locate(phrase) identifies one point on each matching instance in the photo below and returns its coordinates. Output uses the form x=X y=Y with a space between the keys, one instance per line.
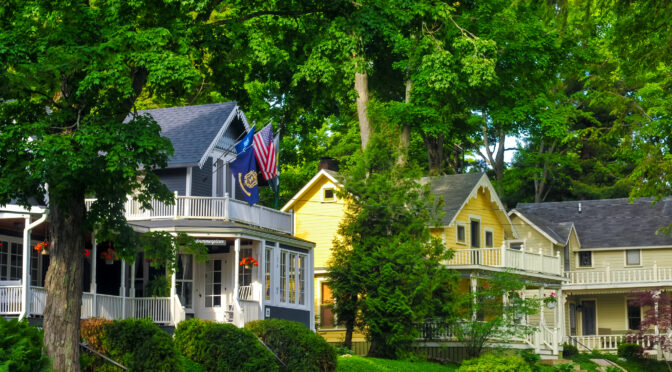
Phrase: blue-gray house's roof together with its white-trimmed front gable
x=196 y=130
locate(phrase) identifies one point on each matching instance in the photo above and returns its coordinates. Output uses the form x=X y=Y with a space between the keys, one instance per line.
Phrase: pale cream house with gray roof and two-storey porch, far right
x=611 y=249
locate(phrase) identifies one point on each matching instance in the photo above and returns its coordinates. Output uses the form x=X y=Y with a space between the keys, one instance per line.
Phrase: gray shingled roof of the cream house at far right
x=604 y=223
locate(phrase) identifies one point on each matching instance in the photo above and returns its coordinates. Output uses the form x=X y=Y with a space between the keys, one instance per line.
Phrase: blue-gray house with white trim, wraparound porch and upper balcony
x=207 y=207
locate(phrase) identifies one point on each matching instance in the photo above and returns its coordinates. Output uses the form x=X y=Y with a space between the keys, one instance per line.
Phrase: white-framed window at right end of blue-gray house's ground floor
x=293 y=277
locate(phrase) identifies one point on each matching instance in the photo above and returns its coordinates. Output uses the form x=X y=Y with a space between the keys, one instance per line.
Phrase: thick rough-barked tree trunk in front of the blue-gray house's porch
x=64 y=282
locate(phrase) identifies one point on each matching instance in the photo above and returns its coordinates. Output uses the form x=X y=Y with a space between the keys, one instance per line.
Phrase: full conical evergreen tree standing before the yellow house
x=386 y=269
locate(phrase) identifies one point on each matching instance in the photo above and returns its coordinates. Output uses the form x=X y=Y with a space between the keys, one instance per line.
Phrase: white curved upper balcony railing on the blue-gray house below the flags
x=209 y=208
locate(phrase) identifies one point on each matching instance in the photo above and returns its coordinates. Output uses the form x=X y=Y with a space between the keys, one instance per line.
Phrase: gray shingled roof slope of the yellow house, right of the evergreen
x=454 y=189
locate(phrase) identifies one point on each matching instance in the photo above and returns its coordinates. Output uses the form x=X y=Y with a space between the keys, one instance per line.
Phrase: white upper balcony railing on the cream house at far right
x=608 y=276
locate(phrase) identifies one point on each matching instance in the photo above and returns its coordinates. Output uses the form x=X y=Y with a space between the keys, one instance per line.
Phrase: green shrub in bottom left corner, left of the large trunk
x=21 y=347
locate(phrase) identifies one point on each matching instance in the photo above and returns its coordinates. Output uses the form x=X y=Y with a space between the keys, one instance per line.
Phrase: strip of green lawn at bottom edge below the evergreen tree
x=357 y=363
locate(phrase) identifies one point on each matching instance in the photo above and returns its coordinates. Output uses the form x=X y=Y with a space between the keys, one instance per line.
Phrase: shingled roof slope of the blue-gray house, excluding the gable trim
x=191 y=129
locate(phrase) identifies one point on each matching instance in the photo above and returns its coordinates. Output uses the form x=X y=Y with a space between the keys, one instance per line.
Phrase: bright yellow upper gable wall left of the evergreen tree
x=318 y=221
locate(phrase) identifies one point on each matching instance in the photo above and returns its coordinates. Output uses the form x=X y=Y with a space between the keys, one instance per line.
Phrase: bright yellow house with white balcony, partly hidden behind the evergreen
x=475 y=225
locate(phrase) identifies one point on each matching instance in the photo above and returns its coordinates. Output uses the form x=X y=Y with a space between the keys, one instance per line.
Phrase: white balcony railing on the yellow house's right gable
x=508 y=258
